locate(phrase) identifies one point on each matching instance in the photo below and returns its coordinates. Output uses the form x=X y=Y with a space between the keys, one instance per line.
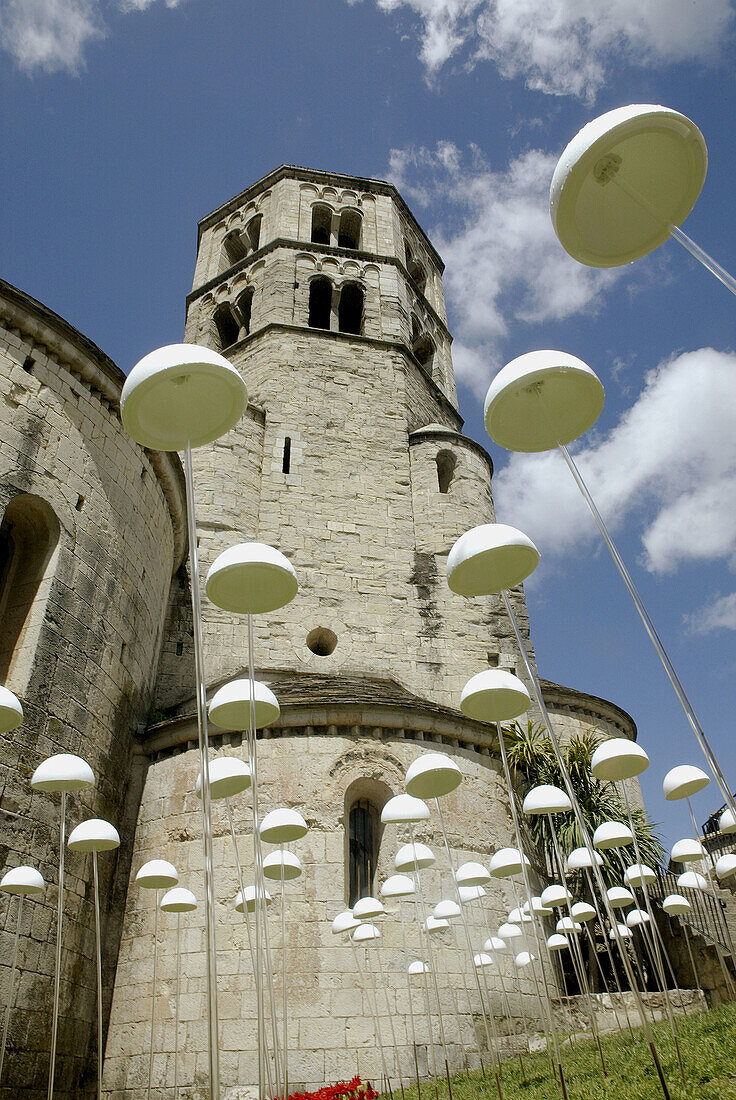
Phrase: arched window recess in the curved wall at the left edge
x=29 y=536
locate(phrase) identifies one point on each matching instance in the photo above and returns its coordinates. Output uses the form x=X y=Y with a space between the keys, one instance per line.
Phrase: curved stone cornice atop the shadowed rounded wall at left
x=61 y=343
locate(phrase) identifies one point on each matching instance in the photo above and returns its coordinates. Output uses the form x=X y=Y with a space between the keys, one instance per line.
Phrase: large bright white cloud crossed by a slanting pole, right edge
x=669 y=466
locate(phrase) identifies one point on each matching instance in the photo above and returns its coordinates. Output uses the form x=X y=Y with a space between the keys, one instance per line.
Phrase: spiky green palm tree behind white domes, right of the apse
x=533 y=762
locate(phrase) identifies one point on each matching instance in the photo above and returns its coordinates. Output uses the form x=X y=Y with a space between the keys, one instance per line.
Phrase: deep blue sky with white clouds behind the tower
x=124 y=122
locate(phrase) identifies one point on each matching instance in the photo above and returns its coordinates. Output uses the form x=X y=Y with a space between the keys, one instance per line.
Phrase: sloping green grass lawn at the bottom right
x=708 y=1044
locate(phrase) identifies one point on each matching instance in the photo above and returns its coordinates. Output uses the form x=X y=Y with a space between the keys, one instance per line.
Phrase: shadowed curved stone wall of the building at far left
x=85 y=659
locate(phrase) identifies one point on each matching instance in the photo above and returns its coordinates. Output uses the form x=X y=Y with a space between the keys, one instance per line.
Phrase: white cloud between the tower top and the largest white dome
x=503 y=261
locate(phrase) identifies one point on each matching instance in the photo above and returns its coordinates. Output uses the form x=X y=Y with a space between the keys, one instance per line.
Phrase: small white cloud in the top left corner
x=48 y=35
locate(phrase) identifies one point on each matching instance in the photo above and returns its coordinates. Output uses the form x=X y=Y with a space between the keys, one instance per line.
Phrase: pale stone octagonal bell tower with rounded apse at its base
x=324 y=291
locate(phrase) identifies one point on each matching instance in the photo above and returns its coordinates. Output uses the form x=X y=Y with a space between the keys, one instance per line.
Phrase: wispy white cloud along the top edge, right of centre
x=567 y=47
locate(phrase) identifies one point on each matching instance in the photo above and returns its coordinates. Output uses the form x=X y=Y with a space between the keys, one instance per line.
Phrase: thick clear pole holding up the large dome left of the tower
x=213 y=1031
